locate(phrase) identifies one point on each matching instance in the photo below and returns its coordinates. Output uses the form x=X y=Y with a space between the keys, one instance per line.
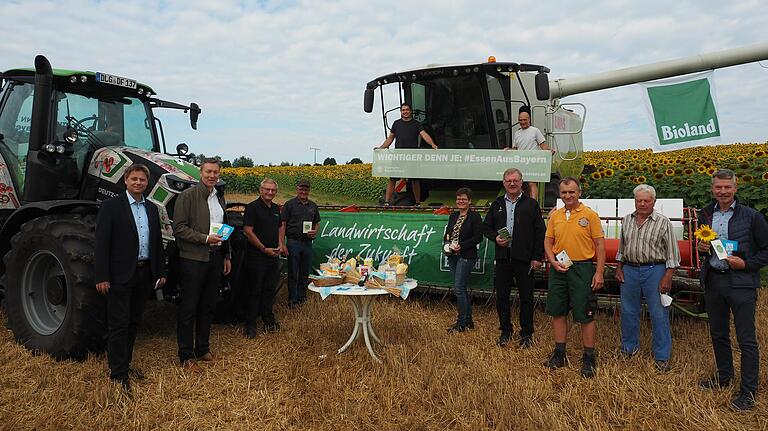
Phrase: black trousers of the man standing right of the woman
x=503 y=276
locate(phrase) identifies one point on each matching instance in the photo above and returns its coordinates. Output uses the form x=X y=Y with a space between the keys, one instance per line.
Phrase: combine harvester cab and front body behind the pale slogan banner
x=474 y=108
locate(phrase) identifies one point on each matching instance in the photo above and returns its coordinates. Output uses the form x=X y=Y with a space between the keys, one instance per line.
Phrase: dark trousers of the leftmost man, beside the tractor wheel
x=125 y=305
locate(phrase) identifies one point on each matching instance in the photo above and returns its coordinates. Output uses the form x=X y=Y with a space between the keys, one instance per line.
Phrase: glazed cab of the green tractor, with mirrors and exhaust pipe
x=80 y=113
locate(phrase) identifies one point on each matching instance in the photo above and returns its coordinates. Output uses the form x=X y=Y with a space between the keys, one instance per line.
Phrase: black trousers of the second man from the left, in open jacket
x=200 y=283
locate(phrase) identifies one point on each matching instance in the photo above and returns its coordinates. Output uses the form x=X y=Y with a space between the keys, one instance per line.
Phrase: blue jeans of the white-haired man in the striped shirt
x=644 y=280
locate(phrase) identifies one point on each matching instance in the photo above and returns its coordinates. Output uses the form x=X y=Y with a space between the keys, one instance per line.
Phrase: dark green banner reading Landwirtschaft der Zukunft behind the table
x=418 y=238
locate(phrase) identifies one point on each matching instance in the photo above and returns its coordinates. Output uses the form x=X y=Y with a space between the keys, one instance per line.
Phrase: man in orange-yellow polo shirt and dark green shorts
x=573 y=238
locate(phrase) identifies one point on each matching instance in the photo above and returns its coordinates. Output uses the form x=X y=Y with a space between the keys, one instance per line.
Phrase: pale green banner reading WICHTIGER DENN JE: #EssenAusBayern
x=535 y=165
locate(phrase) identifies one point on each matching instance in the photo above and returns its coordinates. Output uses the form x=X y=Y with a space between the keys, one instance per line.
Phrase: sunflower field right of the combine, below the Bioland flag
x=684 y=173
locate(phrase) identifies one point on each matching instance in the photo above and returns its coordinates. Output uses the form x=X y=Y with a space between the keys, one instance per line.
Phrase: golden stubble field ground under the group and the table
x=293 y=379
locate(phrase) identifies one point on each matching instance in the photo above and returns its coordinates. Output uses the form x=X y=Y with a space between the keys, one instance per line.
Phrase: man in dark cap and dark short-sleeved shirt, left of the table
x=300 y=218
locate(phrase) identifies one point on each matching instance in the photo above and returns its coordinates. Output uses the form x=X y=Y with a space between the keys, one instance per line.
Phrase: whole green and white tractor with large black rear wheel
x=66 y=138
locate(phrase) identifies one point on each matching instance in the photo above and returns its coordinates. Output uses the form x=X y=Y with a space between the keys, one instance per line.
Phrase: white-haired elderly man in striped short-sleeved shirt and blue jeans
x=647 y=259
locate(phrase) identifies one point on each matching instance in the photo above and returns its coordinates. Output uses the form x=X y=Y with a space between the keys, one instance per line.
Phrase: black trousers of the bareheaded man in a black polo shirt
x=264 y=275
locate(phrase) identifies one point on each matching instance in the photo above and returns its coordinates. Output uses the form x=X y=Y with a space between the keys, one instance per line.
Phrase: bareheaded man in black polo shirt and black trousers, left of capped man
x=262 y=226
